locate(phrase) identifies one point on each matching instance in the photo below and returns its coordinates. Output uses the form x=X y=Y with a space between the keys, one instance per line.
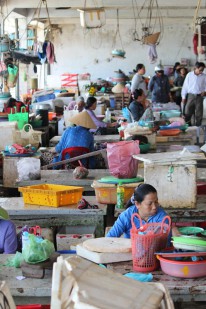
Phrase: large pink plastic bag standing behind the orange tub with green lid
x=120 y=160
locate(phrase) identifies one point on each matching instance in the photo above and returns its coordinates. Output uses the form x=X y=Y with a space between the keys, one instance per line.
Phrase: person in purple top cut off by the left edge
x=8 y=237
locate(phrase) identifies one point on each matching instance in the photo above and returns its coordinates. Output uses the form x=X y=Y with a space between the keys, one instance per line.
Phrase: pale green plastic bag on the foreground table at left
x=37 y=249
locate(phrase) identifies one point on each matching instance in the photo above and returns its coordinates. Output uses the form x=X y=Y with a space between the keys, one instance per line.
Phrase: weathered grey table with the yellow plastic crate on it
x=44 y=216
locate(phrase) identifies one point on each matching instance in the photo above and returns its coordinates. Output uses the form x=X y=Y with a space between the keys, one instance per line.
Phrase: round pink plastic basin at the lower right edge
x=183 y=269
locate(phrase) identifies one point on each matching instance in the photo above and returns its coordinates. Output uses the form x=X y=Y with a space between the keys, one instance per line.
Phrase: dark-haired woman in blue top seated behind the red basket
x=146 y=205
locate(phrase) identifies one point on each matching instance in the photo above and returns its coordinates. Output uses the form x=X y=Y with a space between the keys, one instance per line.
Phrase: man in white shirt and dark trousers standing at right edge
x=193 y=91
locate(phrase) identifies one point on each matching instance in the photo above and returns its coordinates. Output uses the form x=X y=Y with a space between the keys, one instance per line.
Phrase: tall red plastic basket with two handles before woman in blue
x=148 y=239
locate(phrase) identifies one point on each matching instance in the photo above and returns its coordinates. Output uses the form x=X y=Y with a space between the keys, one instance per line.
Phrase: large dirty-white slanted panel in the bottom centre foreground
x=88 y=290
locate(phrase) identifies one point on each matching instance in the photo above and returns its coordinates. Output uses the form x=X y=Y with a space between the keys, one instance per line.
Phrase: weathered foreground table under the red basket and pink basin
x=31 y=291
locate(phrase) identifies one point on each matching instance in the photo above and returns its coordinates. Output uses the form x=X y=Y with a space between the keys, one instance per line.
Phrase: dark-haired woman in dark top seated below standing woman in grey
x=136 y=107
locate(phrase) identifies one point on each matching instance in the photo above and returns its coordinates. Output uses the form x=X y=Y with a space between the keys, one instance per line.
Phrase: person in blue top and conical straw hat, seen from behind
x=77 y=136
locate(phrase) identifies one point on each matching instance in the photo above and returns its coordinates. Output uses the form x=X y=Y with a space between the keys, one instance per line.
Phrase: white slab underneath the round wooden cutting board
x=102 y=258
